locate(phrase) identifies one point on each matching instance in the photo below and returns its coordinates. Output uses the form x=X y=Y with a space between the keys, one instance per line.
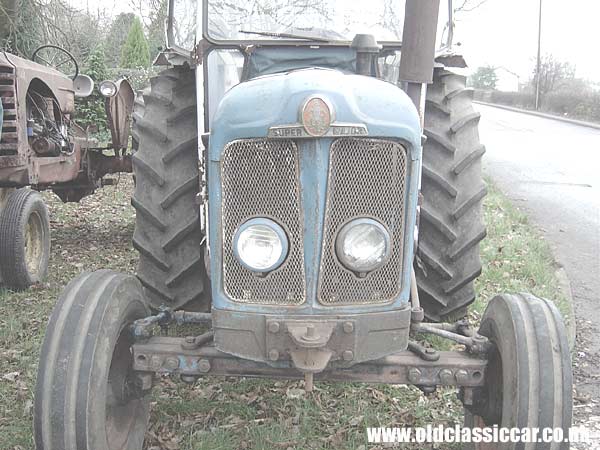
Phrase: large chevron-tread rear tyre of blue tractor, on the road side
x=451 y=225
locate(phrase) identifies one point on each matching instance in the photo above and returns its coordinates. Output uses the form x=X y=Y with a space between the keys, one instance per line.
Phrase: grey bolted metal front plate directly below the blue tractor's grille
x=311 y=343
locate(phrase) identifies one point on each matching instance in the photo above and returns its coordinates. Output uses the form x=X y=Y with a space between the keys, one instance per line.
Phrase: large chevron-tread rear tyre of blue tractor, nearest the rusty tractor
x=167 y=231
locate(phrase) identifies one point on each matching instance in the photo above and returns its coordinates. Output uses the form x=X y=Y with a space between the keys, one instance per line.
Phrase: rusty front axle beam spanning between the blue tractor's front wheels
x=174 y=355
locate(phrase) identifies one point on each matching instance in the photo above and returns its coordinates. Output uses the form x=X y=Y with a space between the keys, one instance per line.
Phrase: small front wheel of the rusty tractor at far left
x=24 y=239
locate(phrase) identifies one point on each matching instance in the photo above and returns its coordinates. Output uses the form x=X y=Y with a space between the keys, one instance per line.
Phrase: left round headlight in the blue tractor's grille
x=260 y=245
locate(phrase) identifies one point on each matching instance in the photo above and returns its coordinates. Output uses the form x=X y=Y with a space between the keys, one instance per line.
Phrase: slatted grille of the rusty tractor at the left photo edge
x=9 y=132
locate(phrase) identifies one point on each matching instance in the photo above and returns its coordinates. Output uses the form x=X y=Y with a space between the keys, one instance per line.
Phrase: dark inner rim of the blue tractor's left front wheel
x=124 y=408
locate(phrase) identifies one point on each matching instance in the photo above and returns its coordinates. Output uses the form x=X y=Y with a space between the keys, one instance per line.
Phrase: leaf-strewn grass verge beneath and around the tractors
x=243 y=414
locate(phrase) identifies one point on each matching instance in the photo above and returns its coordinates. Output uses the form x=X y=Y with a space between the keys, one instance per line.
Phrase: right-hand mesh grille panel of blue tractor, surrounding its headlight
x=367 y=178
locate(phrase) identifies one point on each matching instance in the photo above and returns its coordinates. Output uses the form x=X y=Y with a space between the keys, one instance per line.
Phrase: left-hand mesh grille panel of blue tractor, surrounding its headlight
x=260 y=178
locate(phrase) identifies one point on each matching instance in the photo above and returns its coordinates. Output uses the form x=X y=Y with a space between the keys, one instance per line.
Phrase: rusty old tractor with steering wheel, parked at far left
x=43 y=148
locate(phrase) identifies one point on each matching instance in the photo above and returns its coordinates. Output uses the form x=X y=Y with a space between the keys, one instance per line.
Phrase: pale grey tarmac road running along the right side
x=551 y=170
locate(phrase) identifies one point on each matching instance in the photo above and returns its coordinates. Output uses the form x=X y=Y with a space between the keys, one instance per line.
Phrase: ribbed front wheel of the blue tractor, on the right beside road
x=528 y=379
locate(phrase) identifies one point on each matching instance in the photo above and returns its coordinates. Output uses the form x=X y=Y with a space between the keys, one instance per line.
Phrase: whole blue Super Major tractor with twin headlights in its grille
x=308 y=194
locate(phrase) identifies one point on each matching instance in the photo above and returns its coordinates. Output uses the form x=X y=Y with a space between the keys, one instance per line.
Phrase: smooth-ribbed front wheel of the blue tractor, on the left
x=87 y=397
